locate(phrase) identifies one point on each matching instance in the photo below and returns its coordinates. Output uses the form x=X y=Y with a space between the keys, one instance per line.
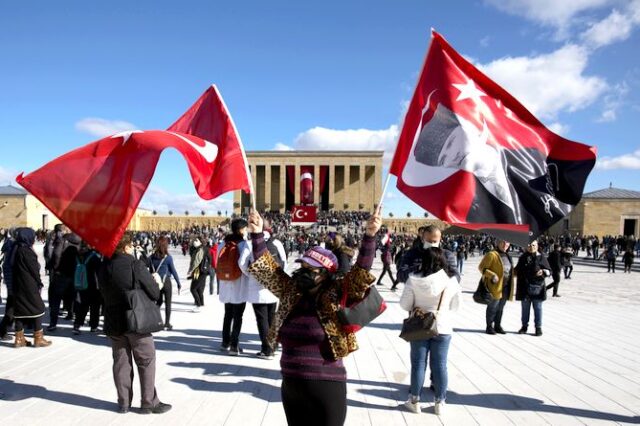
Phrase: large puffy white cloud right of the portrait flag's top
x=549 y=83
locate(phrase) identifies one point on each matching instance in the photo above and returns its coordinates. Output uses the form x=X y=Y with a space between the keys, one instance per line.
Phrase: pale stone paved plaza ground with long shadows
x=584 y=370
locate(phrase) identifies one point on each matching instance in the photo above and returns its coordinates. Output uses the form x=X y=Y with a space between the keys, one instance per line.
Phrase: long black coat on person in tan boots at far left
x=26 y=284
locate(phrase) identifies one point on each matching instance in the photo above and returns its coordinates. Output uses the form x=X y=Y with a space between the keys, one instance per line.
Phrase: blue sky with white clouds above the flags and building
x=306 y=75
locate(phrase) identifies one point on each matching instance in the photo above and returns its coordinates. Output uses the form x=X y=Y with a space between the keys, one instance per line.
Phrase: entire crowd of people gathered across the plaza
x=297 y=312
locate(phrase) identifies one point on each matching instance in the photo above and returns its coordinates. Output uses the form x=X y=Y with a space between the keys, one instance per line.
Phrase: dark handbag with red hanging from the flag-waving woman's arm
x=361 y=313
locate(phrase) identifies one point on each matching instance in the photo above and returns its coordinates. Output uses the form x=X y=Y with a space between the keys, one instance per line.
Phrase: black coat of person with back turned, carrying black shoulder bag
x=116 y=278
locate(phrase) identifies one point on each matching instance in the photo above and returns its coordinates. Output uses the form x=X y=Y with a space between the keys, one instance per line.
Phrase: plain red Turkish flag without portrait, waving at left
x=96 y=189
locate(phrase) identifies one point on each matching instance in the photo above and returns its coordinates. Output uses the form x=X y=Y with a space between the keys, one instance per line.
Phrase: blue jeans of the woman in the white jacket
x=439 y=348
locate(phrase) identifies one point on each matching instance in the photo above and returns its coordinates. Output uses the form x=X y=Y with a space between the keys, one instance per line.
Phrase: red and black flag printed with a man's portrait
x=474 y=156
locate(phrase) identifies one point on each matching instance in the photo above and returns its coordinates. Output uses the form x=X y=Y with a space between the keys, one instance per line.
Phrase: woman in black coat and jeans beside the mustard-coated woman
x=531 y=270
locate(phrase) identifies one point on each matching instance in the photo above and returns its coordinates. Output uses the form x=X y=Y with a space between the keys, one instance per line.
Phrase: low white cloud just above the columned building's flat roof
x=321 y=139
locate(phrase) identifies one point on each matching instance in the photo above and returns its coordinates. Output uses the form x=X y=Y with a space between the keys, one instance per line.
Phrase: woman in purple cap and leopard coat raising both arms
x=306 y=324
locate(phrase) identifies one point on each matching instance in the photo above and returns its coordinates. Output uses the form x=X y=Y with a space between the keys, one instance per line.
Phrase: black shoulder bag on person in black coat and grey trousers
x=143 y=315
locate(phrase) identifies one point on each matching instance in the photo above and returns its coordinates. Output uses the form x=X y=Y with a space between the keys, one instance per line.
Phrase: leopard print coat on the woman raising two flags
x=269 y=274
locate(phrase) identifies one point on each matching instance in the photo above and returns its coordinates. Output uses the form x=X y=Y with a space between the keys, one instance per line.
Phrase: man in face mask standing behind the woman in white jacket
x=412 y=260
